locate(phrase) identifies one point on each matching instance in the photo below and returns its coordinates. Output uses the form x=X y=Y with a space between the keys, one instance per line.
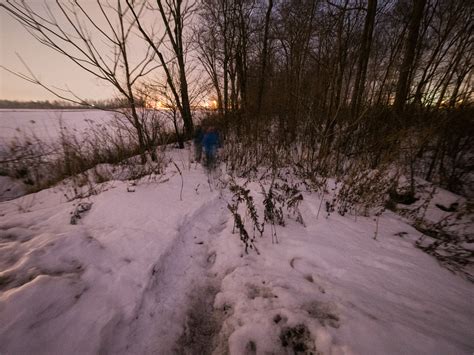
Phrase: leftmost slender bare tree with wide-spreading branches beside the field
x=98 y=40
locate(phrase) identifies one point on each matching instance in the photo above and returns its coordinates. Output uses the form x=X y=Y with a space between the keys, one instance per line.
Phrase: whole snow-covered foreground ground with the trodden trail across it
x=148 y=271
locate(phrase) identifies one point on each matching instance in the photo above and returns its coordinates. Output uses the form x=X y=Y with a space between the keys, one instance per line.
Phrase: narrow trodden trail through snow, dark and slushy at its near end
x=179 y=278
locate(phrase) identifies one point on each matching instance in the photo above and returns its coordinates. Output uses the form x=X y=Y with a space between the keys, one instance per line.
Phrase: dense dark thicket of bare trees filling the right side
x=344 y=85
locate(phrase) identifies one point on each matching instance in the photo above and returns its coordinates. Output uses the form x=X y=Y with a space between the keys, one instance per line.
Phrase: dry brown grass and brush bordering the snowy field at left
x=92 y=158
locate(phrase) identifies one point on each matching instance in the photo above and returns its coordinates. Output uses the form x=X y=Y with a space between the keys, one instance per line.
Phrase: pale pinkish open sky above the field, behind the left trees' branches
x=57 y=71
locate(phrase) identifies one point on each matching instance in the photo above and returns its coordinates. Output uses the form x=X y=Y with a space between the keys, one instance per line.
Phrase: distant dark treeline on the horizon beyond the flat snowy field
x=59 y=104
